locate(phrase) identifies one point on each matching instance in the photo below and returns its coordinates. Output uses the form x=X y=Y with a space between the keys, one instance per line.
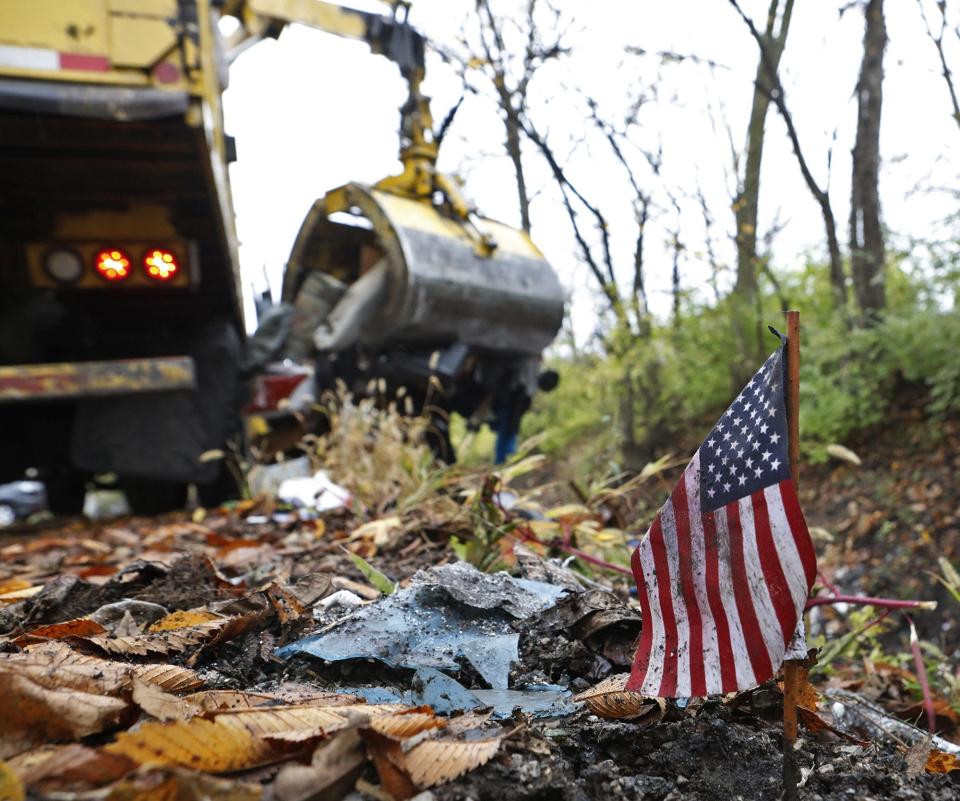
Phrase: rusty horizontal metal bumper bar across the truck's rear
x=65 y=380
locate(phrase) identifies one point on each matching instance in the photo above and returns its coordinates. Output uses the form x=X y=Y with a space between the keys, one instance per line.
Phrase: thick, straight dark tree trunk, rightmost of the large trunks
x=867 y=255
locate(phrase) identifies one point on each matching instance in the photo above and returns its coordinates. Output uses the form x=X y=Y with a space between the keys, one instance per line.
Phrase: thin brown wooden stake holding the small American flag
x=790 y=666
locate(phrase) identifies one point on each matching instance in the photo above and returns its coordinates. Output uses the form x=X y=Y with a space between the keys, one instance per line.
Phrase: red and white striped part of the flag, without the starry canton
x=721 y=592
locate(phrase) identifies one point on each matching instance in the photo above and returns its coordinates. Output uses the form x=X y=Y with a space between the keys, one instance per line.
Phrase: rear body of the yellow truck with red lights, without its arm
x=120 y=308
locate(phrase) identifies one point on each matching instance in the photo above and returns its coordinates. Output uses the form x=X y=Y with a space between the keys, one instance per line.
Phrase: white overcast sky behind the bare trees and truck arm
x=312 y=112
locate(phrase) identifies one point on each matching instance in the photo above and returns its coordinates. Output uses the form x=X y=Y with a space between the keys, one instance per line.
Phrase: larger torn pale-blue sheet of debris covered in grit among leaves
x=447 y=613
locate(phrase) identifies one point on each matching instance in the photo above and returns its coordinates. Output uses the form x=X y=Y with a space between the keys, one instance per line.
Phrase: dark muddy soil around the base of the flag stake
x=715 y=756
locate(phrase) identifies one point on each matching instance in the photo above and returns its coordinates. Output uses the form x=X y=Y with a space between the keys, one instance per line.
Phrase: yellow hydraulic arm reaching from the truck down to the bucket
x=396 y=39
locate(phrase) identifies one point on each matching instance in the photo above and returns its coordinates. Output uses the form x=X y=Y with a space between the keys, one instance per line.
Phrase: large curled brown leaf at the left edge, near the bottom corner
x=31 y=713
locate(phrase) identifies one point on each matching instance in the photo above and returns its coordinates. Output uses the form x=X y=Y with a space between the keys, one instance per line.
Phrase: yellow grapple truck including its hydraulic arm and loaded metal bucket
x=120 y=311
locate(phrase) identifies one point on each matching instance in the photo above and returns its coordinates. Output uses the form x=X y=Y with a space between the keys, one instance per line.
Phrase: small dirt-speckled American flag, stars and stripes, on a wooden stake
x=727 y=566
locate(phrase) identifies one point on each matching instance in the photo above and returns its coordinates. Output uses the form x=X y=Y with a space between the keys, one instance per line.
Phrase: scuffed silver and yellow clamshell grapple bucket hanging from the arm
x=440 y=284
